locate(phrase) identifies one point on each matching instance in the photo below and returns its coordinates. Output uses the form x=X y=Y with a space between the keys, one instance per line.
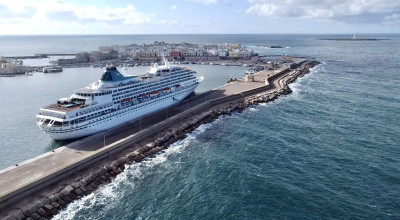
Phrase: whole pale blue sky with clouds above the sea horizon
x=40 y=17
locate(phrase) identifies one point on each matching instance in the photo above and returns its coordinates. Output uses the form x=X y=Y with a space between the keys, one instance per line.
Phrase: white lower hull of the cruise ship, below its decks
x=118 y=117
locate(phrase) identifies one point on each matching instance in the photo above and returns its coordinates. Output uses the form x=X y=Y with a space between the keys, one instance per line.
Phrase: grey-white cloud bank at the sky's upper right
x=351 y=11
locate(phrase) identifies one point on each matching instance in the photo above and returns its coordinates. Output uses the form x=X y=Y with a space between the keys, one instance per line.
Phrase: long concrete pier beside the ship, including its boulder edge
x=40 y=187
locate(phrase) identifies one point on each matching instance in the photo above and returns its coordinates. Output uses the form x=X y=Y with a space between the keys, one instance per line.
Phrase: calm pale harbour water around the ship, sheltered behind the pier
x=23 y=96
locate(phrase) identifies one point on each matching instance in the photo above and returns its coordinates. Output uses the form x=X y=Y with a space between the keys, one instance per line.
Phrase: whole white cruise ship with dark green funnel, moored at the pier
x=115 y=99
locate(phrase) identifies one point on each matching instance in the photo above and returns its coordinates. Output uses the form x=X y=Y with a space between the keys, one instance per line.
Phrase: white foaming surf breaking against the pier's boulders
x=107 y=194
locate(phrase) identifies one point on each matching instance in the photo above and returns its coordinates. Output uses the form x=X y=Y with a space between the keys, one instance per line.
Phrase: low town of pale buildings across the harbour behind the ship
x=232 y=54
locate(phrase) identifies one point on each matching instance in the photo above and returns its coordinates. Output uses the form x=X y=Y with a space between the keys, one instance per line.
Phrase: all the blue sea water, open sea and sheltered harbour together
x=329 y=150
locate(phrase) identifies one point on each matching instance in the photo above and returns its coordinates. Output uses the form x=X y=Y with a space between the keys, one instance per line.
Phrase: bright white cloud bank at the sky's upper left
x=53 y=11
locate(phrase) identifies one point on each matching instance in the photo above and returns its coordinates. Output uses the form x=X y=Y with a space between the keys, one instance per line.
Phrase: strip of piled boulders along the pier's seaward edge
x=51 y=205
